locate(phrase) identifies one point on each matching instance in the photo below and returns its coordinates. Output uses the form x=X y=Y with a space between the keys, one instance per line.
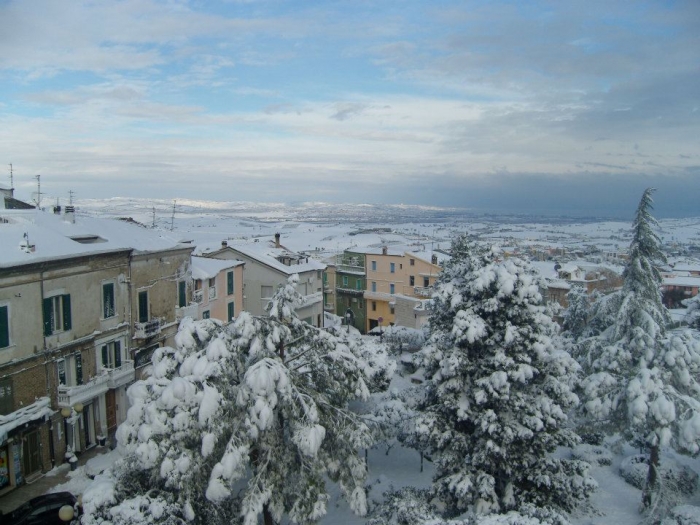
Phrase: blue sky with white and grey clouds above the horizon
x=561 y=107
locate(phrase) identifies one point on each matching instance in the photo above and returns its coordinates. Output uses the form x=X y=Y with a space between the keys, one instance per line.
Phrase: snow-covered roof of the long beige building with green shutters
x=28 y=236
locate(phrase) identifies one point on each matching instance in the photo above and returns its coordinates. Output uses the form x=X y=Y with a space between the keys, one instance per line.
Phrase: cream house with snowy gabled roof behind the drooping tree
x=268 y=265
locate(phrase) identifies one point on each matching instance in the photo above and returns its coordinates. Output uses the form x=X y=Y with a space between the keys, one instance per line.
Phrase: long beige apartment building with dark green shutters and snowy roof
x=82 y=302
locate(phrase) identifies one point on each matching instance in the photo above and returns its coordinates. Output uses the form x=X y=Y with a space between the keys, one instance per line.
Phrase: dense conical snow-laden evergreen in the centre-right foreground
x=498 y=391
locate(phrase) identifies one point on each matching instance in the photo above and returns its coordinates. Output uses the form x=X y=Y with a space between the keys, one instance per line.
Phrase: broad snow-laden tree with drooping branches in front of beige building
x=245 y=422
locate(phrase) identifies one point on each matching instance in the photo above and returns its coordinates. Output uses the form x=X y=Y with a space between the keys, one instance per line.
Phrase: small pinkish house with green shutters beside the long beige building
x=217 y=288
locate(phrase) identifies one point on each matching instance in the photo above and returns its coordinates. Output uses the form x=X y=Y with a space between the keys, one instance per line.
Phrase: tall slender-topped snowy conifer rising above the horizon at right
x=642 y=381
